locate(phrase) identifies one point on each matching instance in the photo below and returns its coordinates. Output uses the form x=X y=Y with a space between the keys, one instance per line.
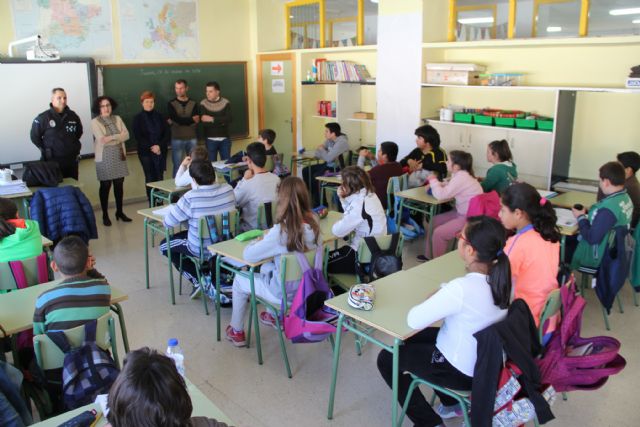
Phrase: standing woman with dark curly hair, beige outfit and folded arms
x=109 y=136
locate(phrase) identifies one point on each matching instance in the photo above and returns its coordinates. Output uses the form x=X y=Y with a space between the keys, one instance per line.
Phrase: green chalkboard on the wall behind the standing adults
x=125 y=83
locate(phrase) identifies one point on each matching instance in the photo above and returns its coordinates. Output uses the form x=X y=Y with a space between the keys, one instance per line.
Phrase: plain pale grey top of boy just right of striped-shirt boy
x=251 y=193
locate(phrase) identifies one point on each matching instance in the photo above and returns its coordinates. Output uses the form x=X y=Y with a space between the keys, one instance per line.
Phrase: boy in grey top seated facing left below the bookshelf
x=335 y=144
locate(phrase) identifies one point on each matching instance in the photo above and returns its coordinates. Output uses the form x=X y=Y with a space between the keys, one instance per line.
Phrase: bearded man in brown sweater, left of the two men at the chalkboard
x=183 y=118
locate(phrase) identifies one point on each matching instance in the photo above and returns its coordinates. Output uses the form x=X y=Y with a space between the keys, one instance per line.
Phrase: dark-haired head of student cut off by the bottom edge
x=150 y=392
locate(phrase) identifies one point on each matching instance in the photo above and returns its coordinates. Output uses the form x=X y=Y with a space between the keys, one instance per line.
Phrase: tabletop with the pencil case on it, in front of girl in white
x=398 y=293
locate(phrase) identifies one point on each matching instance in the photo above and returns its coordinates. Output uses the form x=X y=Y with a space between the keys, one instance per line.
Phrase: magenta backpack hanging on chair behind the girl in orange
x=572 y=362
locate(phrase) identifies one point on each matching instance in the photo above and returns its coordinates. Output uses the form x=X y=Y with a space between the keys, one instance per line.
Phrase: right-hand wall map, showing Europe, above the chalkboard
x=159 y=29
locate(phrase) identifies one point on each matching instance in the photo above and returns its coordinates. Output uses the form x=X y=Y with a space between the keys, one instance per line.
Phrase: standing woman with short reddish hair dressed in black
x=152 y=134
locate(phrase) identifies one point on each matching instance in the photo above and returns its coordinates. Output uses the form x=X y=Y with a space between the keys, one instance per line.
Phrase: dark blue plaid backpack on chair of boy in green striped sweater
x=87 y=371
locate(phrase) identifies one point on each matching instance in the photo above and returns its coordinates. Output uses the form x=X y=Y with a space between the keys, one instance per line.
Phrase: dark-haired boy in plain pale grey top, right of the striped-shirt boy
x=258 y=186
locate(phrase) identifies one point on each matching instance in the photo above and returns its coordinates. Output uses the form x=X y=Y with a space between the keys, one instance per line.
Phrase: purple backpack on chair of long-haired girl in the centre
x=308 y=319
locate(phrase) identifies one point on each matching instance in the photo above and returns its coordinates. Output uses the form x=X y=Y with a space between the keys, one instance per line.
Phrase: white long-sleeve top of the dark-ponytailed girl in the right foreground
x=467 y=306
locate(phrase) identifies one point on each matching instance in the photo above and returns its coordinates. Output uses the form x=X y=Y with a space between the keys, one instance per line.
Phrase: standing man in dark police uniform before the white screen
x=56 y=132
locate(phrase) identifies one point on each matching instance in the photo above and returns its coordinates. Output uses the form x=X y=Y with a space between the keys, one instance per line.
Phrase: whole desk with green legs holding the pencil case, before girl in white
x=395 y=296
